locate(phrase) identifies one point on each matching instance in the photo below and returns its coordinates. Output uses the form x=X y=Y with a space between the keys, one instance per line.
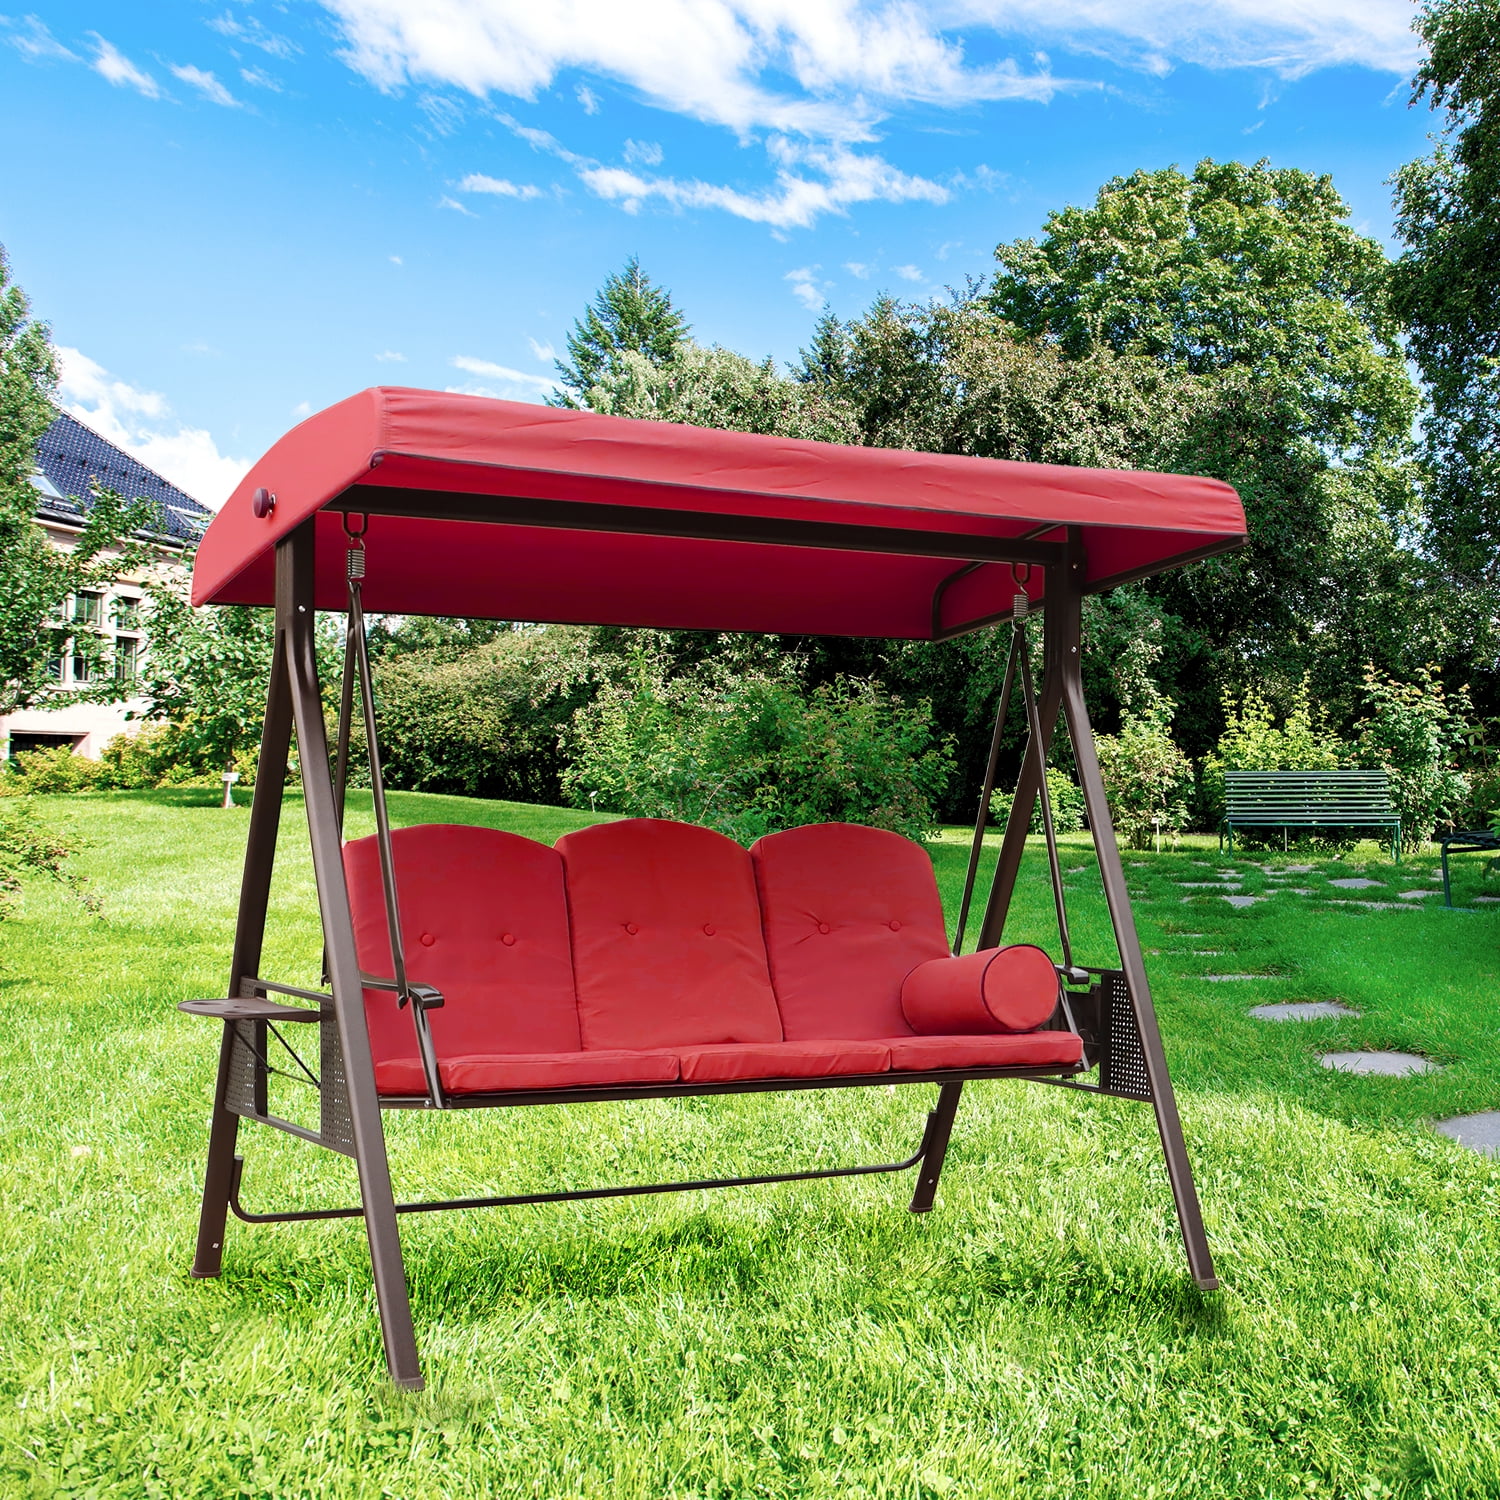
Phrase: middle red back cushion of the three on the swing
x=667 y=937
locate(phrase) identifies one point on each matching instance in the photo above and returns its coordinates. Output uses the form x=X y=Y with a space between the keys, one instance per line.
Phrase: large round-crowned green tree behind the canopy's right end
x=1252 y=281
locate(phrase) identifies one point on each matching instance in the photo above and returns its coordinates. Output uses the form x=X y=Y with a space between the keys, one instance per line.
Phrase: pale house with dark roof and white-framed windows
x=68 y=460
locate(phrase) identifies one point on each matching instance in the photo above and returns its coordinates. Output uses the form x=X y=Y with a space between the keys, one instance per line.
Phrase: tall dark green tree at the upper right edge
x=1447 y=286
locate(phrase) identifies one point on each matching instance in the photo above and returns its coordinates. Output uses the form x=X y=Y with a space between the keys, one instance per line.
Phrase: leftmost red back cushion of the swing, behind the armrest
x=485 y=920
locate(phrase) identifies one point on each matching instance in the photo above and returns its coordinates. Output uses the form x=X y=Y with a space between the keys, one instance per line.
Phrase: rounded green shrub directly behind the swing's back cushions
x=749 y=754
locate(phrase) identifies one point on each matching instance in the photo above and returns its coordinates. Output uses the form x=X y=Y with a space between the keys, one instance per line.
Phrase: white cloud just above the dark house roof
x=142 y=424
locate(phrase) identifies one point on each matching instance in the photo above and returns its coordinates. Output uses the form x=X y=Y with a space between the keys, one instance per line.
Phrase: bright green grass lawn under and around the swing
x=1036 y=1336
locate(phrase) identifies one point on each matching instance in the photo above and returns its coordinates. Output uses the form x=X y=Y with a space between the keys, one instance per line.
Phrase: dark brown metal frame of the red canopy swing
x=1115 y=1012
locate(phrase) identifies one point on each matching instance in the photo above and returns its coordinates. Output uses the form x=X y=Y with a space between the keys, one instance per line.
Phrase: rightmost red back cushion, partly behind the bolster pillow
x=848 y=913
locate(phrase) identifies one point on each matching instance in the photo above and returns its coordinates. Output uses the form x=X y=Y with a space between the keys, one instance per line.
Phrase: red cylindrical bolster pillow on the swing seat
x=995 y=991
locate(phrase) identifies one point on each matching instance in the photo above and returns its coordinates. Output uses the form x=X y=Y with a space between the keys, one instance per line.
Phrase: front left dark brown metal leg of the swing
x=295 y=580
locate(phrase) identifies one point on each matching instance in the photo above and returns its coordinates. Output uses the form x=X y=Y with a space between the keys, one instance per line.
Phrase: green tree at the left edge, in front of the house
x=35 y=577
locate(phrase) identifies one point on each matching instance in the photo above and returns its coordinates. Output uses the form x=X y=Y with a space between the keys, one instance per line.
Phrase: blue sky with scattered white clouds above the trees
x=236 y=212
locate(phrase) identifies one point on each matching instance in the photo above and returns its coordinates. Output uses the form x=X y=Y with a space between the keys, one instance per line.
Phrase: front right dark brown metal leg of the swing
x=1066 y=635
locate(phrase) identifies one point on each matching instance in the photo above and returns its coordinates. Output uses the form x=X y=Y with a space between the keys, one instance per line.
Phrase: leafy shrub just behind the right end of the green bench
x=1414 y=733
